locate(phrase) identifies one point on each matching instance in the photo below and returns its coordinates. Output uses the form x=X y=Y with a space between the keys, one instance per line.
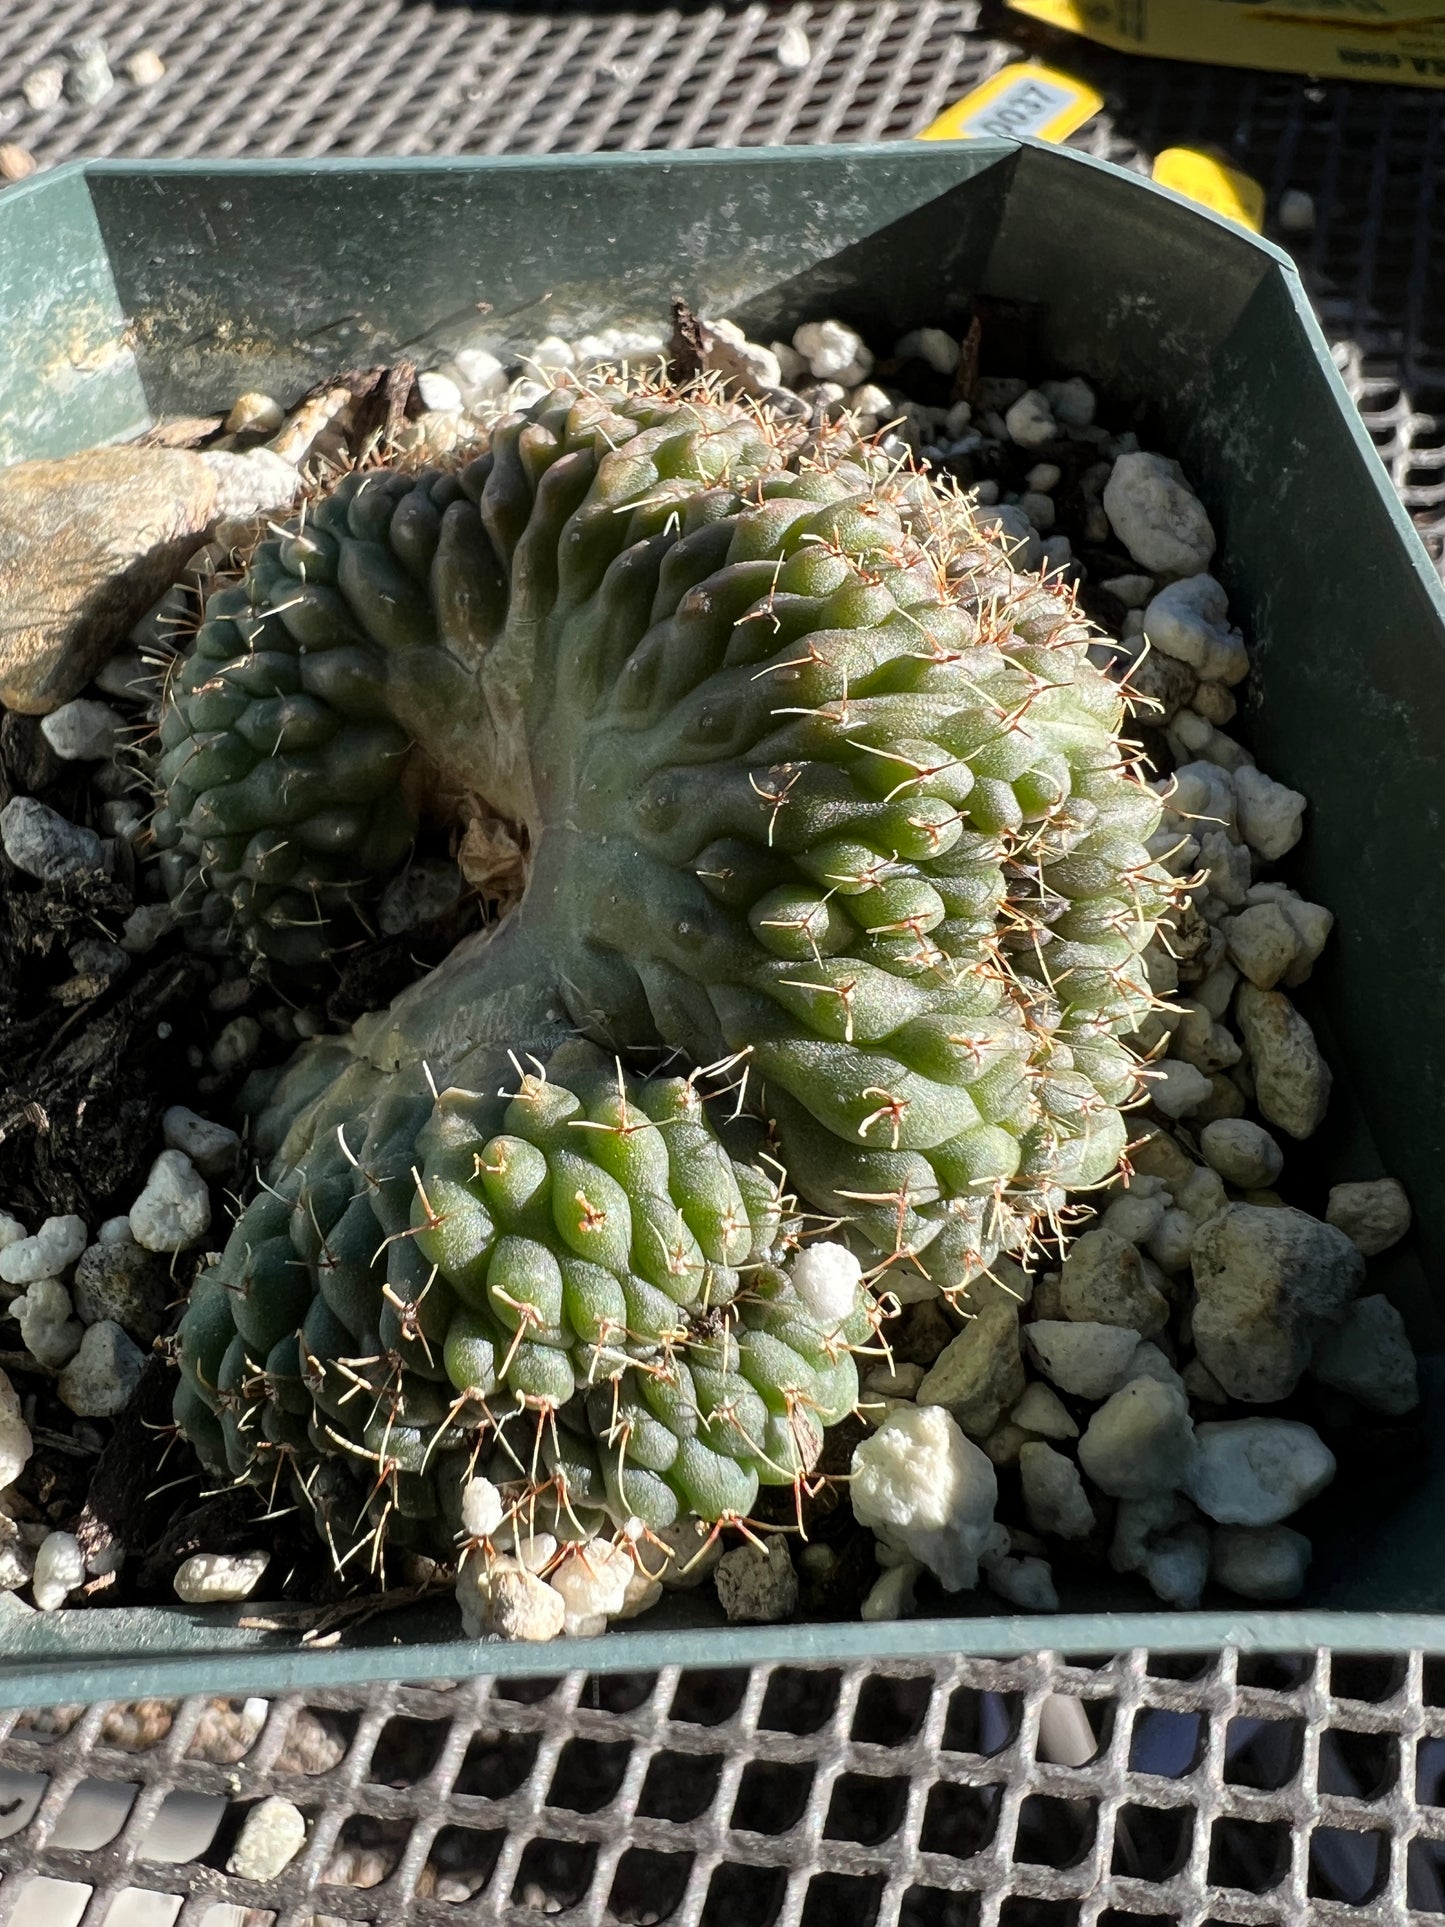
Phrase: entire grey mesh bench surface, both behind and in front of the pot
x=808 y=1797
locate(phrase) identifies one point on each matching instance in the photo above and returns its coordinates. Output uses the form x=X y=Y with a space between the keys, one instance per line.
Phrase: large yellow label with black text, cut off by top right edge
x=1407 y=51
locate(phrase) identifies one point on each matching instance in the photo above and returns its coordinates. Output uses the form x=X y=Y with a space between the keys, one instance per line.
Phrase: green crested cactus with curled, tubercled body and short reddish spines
x=812 y=785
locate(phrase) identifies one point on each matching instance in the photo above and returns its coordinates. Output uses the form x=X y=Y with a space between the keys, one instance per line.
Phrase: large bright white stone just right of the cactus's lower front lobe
x=928 y=1492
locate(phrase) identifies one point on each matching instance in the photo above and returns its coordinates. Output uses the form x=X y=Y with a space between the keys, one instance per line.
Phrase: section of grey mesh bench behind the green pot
x=448 y=76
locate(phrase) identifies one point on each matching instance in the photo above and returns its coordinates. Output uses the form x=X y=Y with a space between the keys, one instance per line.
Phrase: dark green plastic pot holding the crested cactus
x=136 y=290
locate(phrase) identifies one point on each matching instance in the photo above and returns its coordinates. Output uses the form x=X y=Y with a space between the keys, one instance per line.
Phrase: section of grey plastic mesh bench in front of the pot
x=818 y=1797
